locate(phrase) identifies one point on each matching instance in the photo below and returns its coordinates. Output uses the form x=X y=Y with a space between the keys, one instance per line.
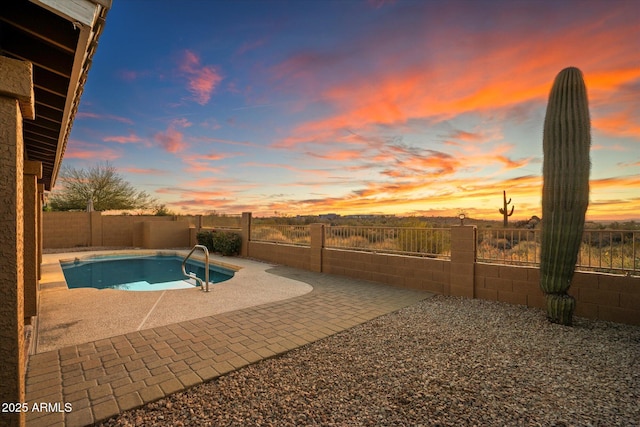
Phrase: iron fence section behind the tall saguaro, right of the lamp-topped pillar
x=614 y=251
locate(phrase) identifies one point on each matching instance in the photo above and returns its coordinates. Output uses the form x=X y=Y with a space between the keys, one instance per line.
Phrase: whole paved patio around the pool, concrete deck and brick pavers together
x=105 y=375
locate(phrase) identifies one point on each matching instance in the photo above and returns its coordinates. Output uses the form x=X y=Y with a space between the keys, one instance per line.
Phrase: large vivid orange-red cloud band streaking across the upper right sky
x=486 y=75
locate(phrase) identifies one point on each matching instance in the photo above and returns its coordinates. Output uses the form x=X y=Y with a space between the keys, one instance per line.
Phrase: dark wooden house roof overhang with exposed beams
x=59 y=37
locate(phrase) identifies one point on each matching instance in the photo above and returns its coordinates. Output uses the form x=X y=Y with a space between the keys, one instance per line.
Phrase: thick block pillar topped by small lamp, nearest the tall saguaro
x=463 y=259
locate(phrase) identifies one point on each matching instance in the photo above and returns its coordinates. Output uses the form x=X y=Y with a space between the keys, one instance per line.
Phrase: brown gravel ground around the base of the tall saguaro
x=446 y=361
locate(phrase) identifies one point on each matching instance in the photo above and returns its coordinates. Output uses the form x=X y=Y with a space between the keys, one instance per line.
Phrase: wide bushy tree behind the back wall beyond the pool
x=101 y=185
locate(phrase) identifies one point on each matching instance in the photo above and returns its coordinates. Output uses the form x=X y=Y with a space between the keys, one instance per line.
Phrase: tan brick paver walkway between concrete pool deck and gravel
x=97 y=380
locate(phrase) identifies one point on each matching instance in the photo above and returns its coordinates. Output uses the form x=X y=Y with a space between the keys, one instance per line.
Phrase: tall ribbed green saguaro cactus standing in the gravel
x=565 y=191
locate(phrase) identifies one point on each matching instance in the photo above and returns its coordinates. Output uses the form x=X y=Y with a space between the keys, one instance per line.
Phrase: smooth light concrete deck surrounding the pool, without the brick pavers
x=75 y=316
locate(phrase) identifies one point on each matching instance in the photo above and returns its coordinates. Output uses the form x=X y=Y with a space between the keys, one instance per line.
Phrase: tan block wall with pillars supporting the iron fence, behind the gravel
x=599 y=296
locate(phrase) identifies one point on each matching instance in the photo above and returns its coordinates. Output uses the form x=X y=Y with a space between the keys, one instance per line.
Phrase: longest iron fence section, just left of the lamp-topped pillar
x=429 y=242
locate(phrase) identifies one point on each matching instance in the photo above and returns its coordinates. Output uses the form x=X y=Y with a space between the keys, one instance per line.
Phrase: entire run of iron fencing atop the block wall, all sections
x=611 y=251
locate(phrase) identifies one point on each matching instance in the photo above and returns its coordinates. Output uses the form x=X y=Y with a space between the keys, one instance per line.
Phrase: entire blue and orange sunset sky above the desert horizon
x=357 y=106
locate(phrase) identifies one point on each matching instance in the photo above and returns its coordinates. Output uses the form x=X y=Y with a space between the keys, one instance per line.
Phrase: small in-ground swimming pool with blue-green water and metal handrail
x=138 y=273
